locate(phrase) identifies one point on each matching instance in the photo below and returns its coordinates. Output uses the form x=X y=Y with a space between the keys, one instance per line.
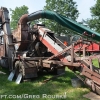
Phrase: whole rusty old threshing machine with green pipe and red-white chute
x=27 y=51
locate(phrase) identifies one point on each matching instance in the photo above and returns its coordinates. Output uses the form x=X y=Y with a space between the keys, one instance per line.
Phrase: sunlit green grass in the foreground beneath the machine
x=57 y=86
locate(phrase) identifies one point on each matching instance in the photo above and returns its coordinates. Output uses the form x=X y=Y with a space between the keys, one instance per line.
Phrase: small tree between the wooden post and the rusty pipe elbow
x=16 y=14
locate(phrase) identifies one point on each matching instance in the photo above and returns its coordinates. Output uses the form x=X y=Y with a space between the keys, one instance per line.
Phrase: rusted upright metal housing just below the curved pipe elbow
x=21 y=35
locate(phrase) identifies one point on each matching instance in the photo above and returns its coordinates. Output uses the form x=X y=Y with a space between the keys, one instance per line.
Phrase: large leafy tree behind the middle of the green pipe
x=67 y=8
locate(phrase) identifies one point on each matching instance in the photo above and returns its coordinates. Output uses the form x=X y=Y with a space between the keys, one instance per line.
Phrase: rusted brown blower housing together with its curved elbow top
x=21 y=33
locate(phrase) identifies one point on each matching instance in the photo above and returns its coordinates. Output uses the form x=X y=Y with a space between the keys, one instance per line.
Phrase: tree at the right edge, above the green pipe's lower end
x=94 y=22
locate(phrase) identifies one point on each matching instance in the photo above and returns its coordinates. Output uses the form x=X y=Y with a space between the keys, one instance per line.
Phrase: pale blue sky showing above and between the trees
x=34 y=5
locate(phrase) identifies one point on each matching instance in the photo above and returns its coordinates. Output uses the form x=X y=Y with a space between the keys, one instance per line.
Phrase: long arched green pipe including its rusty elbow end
x=64 y=21
